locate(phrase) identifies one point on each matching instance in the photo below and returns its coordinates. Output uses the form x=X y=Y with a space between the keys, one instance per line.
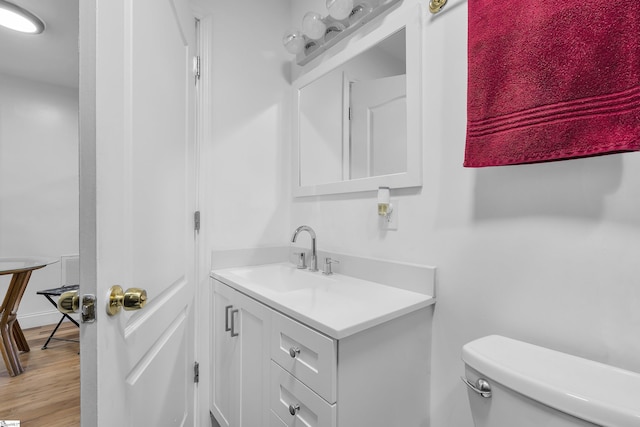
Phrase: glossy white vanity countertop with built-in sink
x=335 y=305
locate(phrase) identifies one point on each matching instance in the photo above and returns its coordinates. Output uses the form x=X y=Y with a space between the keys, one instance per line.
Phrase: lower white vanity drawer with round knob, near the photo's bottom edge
x=290 y=395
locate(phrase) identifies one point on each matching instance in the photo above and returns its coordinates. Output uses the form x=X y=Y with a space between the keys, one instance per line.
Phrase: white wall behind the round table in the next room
x=38 y=184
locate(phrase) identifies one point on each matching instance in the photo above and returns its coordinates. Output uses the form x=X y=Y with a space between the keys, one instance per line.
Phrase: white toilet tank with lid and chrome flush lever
x=532 y=386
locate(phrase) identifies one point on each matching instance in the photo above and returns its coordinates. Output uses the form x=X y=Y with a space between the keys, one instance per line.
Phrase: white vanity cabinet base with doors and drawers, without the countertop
x=297 y=376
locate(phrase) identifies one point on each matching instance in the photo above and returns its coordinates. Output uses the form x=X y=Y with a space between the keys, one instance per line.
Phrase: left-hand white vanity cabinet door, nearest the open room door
x=225 y=364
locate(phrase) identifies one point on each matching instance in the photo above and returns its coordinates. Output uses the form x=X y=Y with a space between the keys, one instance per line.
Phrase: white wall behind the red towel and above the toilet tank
x=545 y=253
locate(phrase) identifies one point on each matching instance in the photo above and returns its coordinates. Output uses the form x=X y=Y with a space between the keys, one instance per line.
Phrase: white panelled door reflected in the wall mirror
x=378 y=126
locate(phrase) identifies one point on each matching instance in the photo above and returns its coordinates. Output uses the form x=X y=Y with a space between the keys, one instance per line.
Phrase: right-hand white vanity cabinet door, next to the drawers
x=254 y=336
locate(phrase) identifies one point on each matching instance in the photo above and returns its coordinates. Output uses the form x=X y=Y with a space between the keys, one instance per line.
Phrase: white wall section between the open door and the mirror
x=248 y=171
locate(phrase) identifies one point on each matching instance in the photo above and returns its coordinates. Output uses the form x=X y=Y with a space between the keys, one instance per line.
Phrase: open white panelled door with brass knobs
x=137 y=203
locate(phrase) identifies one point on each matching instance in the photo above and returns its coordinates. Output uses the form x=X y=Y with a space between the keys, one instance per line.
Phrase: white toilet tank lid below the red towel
x=595 y=392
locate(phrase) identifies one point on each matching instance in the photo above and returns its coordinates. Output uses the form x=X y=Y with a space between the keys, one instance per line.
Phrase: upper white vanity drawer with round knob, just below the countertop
x=308 y=355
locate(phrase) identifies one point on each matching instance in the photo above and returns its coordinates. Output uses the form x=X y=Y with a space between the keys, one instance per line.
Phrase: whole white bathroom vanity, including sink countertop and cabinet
x=296 y=348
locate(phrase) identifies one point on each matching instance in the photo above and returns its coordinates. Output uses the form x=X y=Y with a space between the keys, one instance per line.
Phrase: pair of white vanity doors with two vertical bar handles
x=240 y=330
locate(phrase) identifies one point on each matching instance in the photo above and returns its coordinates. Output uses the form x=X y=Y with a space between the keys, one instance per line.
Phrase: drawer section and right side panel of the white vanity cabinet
x=378 y=377
